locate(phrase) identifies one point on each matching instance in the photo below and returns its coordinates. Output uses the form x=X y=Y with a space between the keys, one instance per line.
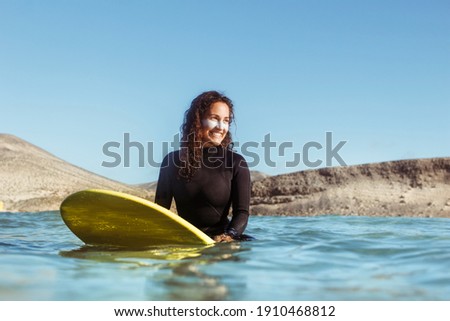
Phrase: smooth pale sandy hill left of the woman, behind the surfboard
x=32 y=179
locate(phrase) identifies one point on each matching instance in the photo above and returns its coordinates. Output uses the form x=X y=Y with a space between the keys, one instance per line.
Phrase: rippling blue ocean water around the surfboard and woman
x=293 y=258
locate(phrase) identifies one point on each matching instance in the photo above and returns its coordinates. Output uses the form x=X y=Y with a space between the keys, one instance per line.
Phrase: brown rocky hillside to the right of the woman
x=400 y=188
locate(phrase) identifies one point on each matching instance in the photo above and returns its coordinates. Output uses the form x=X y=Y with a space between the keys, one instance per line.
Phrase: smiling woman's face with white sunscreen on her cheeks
x=215 y=124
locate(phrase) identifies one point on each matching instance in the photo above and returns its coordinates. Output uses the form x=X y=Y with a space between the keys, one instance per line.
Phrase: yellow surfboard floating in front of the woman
x=101 y=217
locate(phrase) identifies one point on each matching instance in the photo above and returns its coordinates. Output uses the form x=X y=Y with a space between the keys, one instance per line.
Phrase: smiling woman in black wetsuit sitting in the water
x=205 y=177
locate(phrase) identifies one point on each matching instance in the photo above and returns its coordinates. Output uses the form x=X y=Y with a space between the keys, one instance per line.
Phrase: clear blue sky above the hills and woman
x=75 y=75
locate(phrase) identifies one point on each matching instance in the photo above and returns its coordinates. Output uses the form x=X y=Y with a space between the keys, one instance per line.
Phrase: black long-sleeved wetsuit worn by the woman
x=222 y=181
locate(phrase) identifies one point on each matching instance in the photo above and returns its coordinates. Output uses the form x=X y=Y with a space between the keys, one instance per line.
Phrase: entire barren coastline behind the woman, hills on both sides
x=33 y=180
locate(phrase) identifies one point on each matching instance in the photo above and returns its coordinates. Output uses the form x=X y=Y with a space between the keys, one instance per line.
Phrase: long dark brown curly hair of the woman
x=191 y=134
